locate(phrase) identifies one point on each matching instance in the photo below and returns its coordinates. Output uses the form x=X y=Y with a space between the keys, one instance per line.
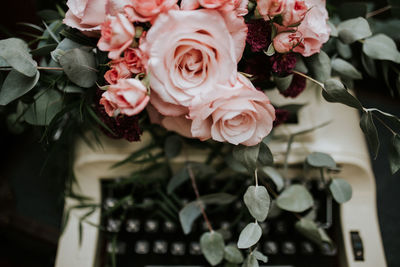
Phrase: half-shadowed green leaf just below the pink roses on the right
x=319 y=66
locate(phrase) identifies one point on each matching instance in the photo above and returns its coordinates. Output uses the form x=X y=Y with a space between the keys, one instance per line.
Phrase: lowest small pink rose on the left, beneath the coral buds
x=128 y=96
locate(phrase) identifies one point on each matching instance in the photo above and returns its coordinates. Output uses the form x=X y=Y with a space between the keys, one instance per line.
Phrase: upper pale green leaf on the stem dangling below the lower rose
x=257 y=201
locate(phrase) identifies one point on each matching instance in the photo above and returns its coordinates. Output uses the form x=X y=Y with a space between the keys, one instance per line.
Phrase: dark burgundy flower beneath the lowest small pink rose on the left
x=126 y=127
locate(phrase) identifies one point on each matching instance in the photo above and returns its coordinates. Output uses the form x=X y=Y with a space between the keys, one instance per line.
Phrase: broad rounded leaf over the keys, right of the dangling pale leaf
x=295 y=198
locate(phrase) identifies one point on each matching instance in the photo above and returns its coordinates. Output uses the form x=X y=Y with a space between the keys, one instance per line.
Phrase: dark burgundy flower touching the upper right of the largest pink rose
x=258 y=35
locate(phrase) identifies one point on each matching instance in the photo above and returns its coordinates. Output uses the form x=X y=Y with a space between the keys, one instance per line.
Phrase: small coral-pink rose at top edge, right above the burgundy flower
x=294 y=12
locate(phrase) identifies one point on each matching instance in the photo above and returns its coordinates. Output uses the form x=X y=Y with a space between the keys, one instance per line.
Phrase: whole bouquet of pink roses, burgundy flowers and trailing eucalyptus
x=202 y=69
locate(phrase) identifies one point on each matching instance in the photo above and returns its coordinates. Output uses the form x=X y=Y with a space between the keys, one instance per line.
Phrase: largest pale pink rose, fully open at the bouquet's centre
x=188 y=53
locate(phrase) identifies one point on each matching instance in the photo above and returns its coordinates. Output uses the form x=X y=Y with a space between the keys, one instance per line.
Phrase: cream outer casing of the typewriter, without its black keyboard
x=341 y=138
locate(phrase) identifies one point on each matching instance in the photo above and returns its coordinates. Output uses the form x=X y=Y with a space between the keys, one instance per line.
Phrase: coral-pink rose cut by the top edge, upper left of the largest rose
x=148 y=10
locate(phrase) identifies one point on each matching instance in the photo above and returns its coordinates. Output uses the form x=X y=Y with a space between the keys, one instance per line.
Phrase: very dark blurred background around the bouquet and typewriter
x=31 y=196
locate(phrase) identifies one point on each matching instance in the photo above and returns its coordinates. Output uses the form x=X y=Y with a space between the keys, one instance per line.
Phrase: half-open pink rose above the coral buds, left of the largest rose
x=116 y=35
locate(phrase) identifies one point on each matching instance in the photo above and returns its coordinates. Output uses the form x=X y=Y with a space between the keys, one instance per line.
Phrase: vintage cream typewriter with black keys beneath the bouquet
x=144 y=237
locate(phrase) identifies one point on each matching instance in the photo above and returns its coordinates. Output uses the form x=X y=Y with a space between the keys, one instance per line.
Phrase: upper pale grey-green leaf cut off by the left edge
x=16 y=53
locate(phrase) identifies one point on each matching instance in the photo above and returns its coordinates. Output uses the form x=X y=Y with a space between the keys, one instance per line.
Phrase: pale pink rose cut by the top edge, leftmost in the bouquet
x=88 y=15
